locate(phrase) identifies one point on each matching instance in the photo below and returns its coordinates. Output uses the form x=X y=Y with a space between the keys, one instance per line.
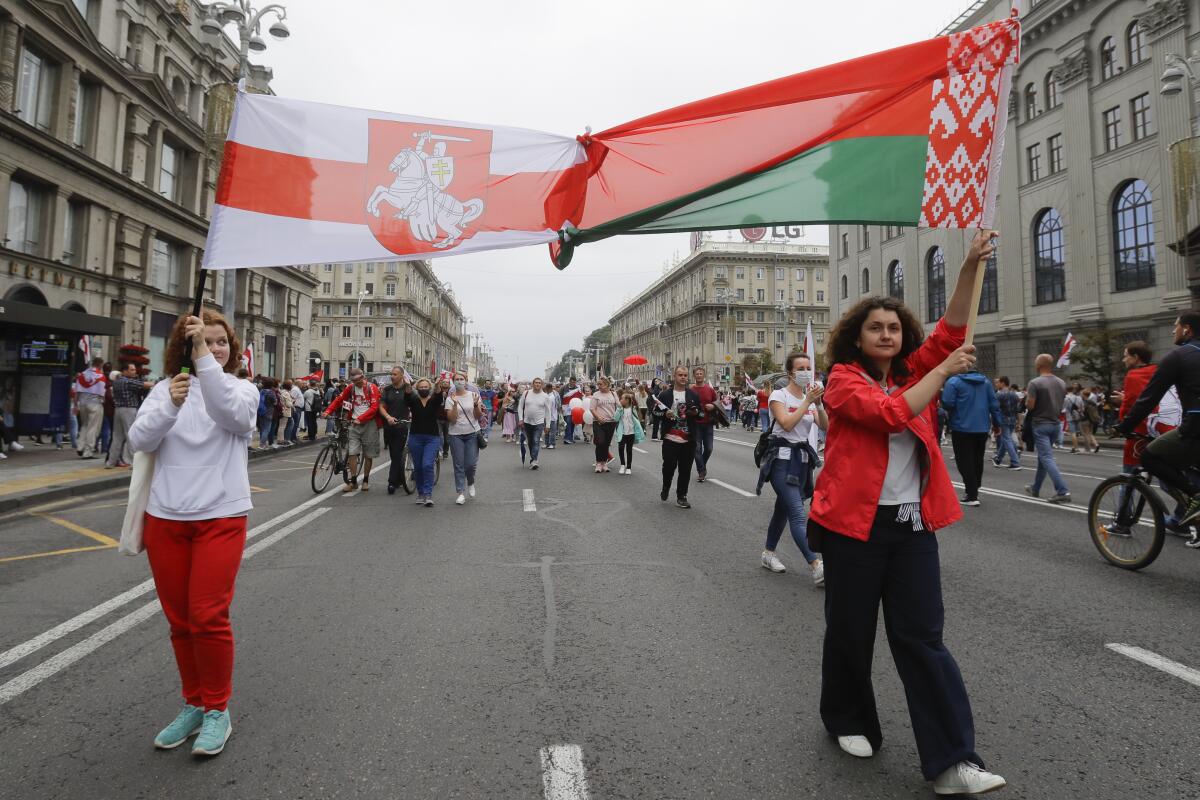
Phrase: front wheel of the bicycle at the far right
x=1125 y=519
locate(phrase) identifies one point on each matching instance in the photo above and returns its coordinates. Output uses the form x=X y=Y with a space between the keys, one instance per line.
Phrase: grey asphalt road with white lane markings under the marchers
x=388 y=651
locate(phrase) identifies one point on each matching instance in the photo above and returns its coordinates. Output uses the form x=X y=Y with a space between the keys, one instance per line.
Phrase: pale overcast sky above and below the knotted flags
x=560 y=67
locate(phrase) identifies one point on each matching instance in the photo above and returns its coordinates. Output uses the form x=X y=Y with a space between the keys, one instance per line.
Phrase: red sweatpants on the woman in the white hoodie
x=195 y=566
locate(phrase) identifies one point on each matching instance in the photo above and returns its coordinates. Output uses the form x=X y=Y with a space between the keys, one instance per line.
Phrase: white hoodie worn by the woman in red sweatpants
x=201 y=466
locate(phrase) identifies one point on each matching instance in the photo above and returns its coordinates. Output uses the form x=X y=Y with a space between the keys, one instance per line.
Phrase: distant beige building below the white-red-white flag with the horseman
x=380 y=315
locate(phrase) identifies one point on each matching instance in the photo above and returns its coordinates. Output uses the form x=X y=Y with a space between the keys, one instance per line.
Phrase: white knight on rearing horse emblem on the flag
x=419 y=194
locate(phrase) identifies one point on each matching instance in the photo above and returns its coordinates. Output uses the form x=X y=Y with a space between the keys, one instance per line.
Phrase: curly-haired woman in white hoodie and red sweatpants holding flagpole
x=200 y=428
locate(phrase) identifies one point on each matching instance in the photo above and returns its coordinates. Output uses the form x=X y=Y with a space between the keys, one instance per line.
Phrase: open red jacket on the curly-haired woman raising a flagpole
x=862 y=417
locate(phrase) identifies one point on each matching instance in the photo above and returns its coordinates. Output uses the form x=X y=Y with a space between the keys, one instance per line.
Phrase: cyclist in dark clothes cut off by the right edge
x=1168 y=456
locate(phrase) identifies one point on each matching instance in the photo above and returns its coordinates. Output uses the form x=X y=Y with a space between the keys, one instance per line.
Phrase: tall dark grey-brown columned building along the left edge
x=107 y=177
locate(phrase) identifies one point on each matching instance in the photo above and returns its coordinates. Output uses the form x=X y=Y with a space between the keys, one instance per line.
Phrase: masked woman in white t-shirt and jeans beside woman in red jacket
x=791 y=460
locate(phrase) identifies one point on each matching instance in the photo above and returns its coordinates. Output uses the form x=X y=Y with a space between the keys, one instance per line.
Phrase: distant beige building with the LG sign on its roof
x=724 y=302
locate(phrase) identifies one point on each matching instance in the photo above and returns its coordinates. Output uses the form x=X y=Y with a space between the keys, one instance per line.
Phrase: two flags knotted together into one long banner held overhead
x=910 y=137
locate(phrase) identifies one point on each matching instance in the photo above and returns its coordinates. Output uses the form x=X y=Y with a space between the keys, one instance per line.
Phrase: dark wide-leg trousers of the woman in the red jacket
x=899 y=568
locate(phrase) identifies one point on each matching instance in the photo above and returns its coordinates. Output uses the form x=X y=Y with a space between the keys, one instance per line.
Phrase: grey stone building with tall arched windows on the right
x=1089 y=215
